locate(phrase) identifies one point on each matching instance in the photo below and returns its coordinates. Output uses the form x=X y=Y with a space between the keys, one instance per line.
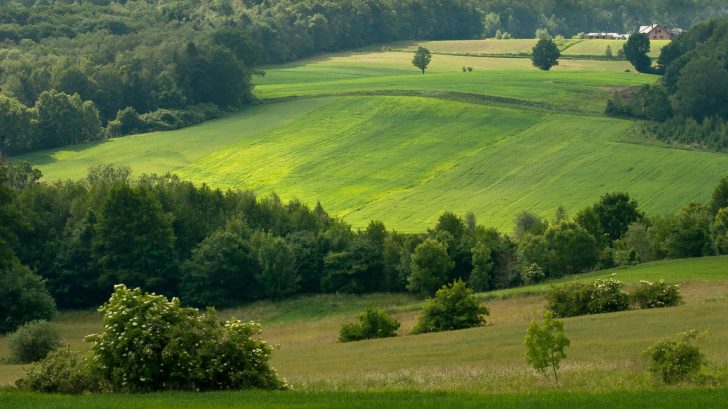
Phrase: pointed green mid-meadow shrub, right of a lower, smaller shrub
x=453 y=307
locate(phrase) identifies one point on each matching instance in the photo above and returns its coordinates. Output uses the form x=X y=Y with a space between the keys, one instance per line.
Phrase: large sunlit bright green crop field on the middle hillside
x=372 y=138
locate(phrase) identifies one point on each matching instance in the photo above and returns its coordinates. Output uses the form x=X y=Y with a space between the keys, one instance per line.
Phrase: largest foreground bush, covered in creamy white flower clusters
x=150 y=343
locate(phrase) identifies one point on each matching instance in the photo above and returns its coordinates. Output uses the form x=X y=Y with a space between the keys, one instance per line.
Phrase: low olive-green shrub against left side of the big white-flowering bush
x=62 y=371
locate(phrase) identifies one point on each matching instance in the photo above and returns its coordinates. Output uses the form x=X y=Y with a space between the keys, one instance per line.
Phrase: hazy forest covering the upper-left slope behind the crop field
x=135 y=66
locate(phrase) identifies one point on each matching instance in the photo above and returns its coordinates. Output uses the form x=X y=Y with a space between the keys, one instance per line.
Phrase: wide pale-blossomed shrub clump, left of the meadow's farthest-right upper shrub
x=599 y=297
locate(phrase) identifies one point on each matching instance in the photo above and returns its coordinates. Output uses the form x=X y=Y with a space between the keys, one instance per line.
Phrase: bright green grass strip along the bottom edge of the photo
x=384 y=400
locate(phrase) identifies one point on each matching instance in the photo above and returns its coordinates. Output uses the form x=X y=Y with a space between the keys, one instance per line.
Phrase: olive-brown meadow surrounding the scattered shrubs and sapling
x=605 y=353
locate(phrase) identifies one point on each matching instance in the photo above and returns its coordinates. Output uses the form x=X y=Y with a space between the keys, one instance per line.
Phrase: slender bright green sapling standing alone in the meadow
x=545 y=344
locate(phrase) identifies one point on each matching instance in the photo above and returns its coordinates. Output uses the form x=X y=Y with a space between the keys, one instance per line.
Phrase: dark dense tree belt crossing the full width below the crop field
x=224 y=248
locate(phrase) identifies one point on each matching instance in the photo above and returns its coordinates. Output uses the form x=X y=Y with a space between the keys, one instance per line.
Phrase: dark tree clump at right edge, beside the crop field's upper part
x=689 y=106
